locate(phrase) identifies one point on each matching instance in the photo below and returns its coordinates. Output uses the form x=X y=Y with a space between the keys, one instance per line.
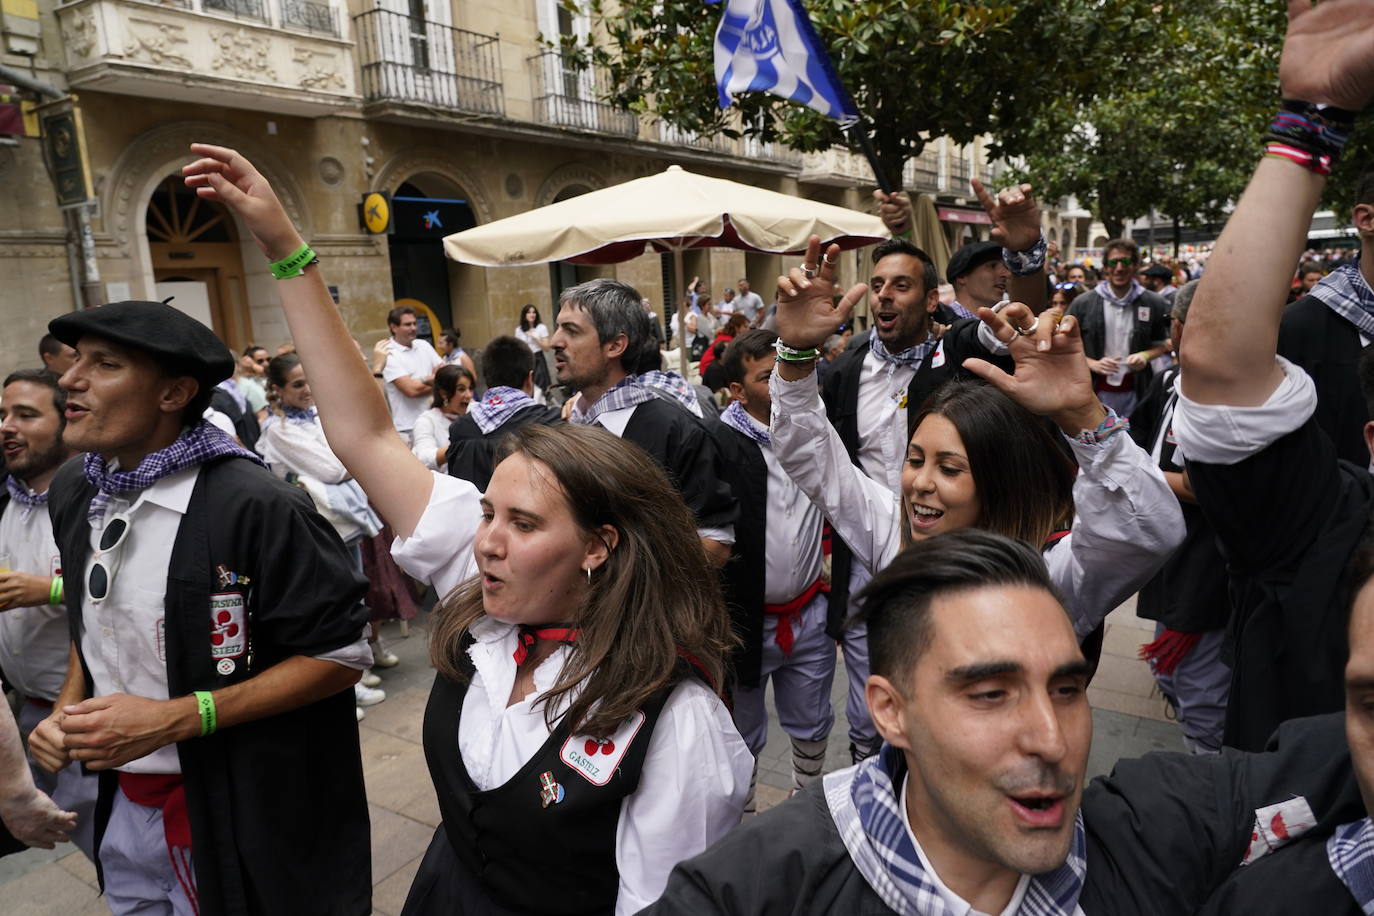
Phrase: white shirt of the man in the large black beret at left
x=123 y=638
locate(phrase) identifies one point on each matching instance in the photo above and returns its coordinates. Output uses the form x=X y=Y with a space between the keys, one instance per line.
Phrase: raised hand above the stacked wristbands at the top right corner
x=1329 y=53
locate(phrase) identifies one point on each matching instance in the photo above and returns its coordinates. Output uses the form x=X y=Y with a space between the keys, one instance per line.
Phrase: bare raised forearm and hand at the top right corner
x=1229 y=351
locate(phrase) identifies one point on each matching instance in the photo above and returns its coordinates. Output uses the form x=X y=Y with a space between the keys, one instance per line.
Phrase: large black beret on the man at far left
x=170 y=336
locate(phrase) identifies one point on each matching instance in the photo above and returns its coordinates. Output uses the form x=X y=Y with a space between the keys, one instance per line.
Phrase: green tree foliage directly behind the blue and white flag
x=917 y=69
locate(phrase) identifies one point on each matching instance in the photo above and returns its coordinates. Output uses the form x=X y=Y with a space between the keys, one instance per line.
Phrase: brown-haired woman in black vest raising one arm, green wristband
x=575 y=735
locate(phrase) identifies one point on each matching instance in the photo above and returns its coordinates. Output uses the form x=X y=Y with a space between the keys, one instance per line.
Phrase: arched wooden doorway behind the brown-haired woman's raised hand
x=196 y=253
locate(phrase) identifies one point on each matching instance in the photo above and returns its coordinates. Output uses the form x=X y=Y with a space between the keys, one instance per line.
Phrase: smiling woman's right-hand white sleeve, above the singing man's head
x=1127 y=523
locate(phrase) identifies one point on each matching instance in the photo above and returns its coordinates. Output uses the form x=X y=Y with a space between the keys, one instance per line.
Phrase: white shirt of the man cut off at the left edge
x=35 y=642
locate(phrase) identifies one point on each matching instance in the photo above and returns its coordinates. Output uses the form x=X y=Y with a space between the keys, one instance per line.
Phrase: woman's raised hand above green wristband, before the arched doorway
x=225 y=176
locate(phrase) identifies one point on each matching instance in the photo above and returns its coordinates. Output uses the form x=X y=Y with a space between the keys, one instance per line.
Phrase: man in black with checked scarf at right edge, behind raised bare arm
x=1328 y=329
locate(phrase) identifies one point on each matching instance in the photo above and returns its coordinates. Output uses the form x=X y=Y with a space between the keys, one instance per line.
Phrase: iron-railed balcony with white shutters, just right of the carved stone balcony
x=413 y=62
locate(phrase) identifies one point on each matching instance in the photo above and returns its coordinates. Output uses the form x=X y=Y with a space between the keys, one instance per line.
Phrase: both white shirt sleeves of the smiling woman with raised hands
x=1126 y=527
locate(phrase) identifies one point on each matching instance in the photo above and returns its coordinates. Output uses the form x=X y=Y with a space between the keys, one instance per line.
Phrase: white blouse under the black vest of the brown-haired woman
x=686 y=801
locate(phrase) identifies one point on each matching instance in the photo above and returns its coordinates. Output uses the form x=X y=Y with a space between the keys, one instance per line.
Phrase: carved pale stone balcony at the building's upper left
x=291 y=57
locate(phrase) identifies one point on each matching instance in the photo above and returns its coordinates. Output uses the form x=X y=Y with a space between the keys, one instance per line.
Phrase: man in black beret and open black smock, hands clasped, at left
x=216 y=628
